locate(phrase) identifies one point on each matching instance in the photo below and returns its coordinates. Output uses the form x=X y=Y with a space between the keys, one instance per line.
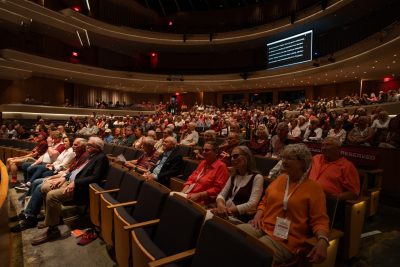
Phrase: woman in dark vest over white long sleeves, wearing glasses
x=241 y=193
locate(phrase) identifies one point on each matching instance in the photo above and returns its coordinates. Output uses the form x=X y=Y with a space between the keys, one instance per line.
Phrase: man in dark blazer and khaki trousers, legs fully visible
x=72 y=185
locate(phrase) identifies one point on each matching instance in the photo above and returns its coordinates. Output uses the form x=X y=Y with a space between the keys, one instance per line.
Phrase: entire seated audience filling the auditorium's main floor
x=226 y=180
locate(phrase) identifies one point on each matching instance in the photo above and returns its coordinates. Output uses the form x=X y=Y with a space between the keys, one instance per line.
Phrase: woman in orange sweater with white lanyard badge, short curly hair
x=293 y=209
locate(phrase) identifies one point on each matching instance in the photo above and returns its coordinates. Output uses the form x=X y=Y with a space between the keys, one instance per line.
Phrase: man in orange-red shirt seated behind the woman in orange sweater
x=337 y=176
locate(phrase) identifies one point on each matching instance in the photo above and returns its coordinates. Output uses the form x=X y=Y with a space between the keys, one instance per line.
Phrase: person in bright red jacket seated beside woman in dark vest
x=204 y=184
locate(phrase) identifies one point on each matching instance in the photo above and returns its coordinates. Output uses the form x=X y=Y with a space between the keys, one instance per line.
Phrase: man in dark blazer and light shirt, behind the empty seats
x=169 y=165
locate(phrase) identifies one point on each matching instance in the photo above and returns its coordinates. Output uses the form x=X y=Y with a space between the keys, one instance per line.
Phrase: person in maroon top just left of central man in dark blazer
x=148 y=159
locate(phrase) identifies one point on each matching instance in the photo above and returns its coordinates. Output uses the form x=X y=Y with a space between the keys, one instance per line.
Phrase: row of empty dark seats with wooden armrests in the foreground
x=148 y=227
